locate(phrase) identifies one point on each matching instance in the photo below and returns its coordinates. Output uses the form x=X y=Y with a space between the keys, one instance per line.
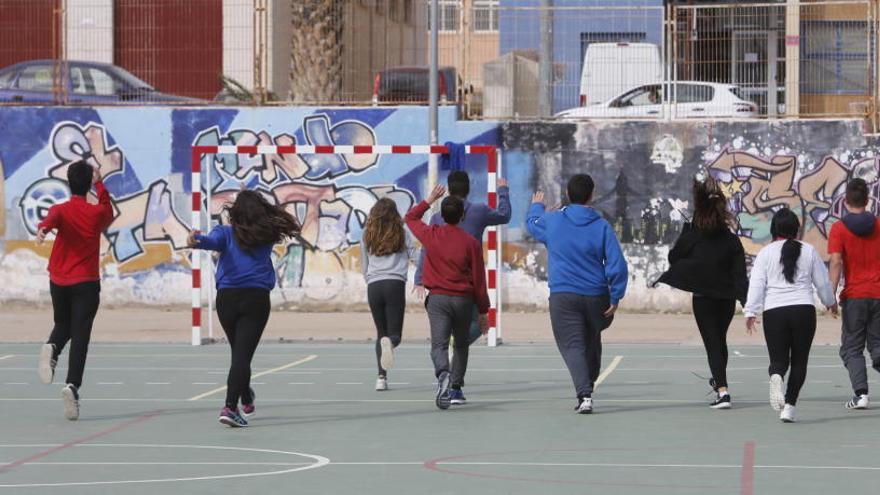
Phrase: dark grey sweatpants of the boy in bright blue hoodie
x=577 y=323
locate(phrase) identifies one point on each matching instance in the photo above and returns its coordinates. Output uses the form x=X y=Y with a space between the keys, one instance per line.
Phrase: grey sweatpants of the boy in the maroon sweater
x=450 y=316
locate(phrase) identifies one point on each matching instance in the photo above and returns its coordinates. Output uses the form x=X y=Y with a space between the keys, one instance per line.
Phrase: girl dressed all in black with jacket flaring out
x=709 y=261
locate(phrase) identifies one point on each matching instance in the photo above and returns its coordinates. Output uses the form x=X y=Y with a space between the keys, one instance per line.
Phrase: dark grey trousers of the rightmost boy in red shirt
x=861 y=329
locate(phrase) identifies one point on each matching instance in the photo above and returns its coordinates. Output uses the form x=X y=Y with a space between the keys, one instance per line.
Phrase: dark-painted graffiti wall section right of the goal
x=644 y=172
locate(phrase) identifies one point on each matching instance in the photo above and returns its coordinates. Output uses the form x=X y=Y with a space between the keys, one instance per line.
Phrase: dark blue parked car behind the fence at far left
x=83 y=82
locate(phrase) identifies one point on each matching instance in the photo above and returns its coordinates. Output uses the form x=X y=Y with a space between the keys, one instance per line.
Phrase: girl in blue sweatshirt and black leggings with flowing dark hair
x=245 y=277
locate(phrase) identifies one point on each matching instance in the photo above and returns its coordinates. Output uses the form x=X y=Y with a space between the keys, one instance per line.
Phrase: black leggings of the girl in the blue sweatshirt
x=243 y=314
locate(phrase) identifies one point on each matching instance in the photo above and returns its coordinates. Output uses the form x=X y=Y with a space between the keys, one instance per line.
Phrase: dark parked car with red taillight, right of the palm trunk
x=410 y=85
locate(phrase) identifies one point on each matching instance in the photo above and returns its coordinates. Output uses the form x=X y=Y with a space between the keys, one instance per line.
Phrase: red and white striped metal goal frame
x=492 y=236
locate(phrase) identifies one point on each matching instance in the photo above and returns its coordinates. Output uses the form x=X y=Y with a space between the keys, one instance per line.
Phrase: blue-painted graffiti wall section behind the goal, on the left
x=145 y=157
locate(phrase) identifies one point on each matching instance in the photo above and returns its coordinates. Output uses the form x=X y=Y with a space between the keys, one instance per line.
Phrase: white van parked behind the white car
x=612 y=68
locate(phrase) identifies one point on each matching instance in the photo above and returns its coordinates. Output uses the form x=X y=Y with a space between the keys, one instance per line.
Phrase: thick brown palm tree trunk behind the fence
x=316 y=50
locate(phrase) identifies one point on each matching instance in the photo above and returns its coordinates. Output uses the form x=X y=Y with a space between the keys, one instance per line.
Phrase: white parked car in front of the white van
x=691 y=99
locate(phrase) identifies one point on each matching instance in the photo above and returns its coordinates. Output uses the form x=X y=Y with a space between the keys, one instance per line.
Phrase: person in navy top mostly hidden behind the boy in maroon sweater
x=477 y=216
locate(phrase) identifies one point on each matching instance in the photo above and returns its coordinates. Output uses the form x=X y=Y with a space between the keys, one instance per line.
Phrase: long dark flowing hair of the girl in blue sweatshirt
x=256 y=222
